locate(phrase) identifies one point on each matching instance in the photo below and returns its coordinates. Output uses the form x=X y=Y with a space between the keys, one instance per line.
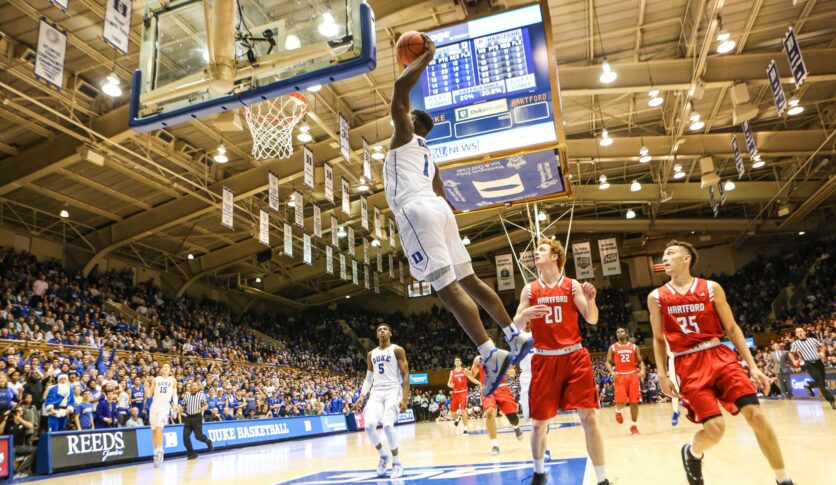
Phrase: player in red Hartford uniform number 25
x=692 y=315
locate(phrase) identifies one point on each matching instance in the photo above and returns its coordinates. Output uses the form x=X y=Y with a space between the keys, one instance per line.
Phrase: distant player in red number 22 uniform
x=626 y=376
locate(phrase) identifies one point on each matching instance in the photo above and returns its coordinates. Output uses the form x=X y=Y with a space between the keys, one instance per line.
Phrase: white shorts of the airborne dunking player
x=432 y=242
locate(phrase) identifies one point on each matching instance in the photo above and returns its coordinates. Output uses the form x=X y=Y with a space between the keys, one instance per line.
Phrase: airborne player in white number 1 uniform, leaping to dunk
x=429 y=232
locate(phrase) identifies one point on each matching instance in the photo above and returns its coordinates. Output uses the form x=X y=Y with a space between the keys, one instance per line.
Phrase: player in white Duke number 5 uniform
x=385 y=376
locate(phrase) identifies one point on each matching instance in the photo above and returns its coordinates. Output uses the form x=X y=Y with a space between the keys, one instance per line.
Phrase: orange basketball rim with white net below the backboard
x=271 y=125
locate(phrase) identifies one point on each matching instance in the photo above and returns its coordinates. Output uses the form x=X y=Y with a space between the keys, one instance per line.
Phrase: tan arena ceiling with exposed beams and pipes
x=155 y=197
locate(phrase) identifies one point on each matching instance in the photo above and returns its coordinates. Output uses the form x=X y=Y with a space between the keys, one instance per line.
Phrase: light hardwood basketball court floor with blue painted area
x=806 y=429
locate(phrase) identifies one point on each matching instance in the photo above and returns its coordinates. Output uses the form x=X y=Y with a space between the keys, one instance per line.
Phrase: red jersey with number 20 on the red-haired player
x=559 y=327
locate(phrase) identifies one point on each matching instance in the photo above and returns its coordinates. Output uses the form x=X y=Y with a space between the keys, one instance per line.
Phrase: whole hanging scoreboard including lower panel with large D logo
x=492 y=91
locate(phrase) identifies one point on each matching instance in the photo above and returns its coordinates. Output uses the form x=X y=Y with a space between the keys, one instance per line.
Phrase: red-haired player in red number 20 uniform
x=561 y=369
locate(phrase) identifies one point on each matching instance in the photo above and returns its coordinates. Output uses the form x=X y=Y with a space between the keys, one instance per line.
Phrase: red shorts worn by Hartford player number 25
x=709 y=376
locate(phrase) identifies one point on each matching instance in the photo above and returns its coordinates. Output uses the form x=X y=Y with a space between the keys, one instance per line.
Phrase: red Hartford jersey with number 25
x=690 y=319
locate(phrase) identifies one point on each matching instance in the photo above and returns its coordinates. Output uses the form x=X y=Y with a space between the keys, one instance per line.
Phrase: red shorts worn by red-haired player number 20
x=561 y=383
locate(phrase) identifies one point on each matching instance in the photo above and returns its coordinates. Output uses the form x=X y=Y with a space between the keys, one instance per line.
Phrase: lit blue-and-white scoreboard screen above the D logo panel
x=489 y=87
